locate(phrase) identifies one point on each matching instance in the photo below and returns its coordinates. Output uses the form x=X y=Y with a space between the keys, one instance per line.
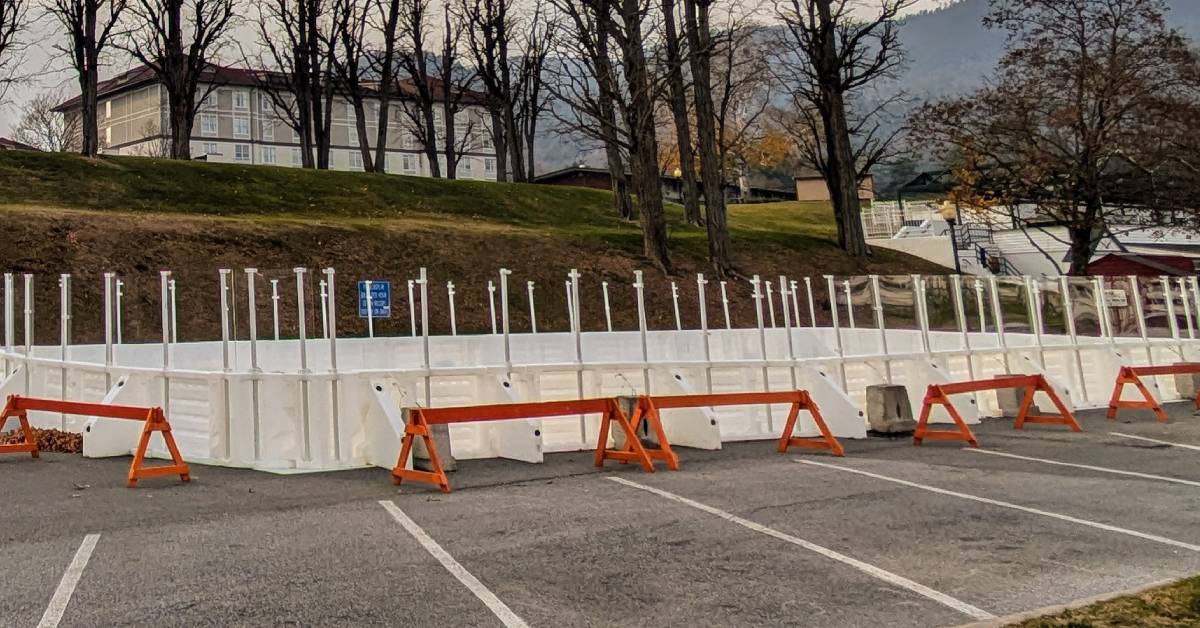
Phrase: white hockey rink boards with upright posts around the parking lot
x=279 y=388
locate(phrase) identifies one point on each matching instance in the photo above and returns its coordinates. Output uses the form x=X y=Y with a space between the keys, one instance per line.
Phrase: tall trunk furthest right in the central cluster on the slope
x=721 y=248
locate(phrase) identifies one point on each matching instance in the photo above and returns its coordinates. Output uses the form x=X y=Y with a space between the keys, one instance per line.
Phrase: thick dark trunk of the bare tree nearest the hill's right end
x=842 y=177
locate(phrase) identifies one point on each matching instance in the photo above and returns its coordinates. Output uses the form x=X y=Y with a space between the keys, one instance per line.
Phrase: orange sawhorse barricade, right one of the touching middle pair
x=649 y=408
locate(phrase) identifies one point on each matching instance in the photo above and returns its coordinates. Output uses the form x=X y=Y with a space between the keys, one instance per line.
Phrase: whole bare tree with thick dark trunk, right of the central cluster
x=830 y=52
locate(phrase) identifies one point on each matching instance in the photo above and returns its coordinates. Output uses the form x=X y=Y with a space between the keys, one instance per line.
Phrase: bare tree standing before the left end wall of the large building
x=179 y=40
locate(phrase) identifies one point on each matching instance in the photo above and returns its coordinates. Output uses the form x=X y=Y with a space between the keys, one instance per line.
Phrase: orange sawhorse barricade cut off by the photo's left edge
x=154 y=421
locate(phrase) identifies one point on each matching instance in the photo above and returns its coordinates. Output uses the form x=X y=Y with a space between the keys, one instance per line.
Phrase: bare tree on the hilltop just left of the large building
x=91 y=27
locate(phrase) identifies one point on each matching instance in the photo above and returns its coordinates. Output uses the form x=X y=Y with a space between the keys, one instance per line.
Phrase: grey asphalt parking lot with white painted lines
x=891 y=535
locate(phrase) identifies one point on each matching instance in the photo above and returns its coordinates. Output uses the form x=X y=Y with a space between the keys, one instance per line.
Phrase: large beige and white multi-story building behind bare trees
x=239 y=123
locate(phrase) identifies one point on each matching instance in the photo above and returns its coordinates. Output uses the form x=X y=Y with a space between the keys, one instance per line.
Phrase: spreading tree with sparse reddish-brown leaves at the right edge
x=1090 y=119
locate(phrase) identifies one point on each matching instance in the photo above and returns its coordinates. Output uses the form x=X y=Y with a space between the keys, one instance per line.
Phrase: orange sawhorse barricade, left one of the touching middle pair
x=422 y=420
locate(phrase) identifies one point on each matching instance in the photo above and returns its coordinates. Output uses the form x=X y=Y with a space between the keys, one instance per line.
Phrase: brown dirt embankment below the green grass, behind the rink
x=87 y=244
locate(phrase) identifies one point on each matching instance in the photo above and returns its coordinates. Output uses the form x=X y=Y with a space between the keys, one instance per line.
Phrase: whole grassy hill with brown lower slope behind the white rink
x=135 y=217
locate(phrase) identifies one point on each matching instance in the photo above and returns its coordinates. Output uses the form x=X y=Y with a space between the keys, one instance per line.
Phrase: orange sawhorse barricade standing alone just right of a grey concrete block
x=940 y=396
